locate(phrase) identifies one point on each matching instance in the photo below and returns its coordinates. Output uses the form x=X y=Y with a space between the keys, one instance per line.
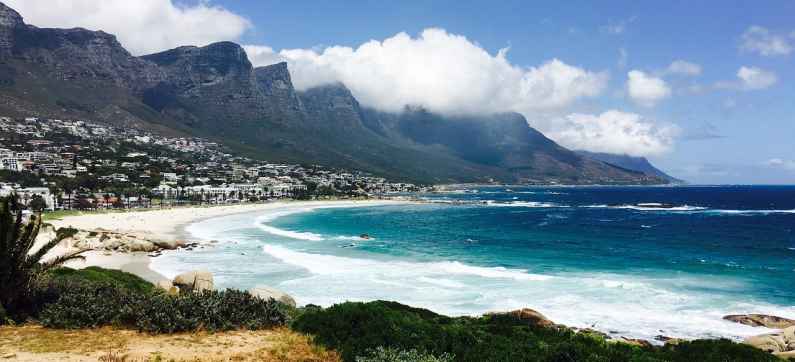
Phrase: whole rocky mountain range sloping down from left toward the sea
x=215 y=92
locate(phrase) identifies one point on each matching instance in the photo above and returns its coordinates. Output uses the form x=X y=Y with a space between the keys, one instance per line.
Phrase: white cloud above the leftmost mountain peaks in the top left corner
x=142 y=26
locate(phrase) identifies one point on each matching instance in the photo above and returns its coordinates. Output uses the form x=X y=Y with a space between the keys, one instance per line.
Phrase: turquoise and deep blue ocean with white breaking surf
x=629 y=261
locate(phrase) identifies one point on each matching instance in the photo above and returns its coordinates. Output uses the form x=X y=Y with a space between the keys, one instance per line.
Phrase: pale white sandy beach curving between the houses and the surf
x=165 y=224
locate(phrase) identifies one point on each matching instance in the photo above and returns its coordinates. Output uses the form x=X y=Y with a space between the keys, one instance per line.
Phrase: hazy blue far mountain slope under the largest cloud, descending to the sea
x=502 y=141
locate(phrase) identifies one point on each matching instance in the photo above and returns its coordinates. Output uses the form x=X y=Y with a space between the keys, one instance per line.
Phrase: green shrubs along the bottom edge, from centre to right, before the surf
x=357 y=329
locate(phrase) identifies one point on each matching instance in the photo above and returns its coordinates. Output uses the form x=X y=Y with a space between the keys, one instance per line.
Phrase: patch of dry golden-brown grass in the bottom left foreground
x=35 y=343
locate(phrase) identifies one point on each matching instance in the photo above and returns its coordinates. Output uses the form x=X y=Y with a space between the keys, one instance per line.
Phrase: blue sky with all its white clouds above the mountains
x=703 y=89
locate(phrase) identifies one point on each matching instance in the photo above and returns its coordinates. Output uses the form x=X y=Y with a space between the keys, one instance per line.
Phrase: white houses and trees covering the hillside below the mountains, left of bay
x=80 y=160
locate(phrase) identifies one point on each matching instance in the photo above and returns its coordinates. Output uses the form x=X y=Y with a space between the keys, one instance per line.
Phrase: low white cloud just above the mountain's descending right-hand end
x=615 y=132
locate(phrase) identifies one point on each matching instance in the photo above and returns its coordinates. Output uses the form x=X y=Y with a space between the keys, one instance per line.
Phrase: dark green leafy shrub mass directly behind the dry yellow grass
x=93 y=304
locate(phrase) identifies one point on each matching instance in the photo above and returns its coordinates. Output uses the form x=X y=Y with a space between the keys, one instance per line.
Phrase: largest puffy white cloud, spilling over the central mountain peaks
x=443 y=72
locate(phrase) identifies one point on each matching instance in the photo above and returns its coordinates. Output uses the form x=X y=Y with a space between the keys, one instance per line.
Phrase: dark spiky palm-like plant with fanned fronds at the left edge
x=20 y=267
